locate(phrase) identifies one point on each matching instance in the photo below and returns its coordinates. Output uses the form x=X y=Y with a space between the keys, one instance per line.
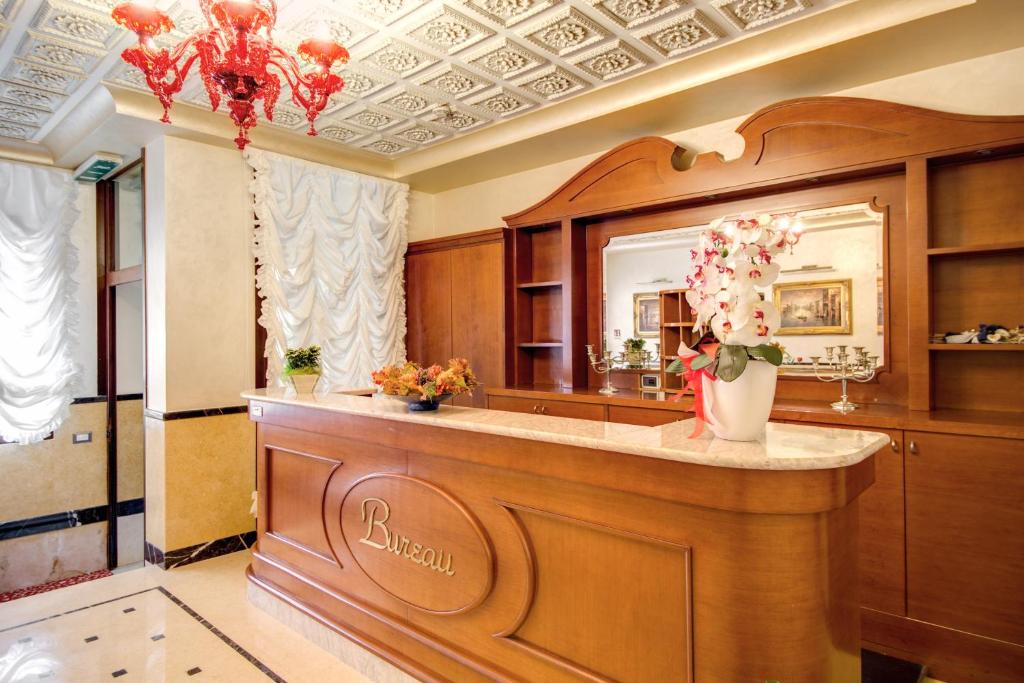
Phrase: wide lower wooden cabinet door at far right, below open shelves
x=965 y=510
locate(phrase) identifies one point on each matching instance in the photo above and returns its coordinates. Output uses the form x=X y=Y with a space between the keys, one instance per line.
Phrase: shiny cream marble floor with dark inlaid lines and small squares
x=193 y=624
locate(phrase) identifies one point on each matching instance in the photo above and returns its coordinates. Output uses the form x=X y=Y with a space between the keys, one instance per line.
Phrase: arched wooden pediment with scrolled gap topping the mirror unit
x=784 y=142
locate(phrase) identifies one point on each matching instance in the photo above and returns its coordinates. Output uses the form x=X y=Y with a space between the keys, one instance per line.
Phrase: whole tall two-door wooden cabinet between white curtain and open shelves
x=455 y=304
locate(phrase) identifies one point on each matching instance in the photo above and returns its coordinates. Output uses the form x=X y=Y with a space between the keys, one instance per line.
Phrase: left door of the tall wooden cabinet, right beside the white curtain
x=429 y=308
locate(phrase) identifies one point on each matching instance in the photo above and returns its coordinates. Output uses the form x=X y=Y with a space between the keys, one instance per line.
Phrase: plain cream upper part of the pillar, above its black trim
x=200 y=279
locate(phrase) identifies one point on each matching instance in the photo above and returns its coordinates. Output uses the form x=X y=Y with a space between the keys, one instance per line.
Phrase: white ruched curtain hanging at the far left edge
x=38 y=320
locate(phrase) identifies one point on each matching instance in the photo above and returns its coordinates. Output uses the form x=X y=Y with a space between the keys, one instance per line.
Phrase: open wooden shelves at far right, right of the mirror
x=974 y=276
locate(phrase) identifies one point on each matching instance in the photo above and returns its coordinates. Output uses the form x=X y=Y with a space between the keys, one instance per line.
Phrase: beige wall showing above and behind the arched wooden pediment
x=986 y=86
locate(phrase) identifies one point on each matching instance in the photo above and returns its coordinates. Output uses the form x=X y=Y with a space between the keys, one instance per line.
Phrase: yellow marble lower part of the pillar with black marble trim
x=200 y=477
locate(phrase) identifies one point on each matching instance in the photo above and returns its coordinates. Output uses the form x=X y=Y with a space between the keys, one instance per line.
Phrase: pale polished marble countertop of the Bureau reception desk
x=784 y=447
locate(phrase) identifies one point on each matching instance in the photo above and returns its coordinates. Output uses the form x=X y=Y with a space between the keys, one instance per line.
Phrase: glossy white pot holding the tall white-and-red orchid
x=742 y=408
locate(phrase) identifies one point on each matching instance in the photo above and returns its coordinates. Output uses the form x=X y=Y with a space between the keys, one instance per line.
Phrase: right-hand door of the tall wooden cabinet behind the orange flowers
x=479 y=315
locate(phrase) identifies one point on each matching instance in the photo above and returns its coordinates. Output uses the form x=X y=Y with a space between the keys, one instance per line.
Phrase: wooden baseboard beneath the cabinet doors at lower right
x=951 y=656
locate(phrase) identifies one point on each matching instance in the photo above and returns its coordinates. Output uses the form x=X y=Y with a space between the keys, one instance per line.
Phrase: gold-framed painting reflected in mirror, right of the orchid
x=820 y=308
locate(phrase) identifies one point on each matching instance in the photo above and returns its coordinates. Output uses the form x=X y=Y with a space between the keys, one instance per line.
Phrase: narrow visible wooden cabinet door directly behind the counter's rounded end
x=883 y=550
